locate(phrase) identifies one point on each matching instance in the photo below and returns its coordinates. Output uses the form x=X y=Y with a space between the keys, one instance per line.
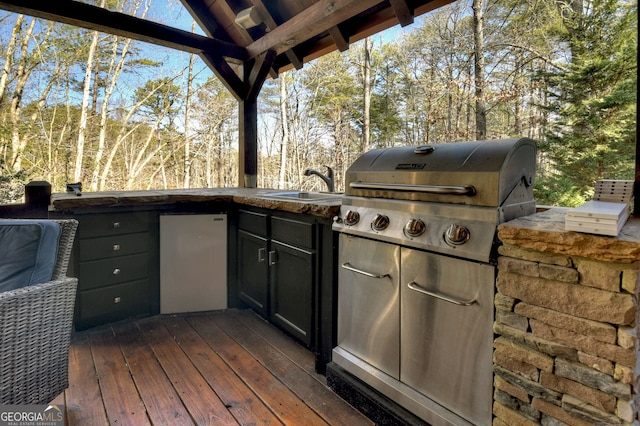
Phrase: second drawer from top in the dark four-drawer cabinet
x=114 y=246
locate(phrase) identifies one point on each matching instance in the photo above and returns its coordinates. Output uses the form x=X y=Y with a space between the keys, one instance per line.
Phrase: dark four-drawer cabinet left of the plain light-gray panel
x=116 y=263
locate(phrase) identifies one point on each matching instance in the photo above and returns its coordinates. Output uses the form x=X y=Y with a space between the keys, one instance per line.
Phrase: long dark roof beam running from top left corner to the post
x=96 y=18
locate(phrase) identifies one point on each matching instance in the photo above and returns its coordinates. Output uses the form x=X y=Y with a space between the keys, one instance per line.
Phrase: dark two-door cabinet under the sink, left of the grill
x=278 y=269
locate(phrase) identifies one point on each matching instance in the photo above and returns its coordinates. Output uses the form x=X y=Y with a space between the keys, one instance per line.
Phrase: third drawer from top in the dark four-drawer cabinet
x=113 y=271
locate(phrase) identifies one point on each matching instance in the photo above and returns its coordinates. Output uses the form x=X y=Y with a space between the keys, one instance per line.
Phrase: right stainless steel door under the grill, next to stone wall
x=446 y=332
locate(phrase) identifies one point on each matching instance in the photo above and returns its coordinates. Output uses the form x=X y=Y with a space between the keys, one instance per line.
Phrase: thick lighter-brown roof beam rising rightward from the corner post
x=319 y=17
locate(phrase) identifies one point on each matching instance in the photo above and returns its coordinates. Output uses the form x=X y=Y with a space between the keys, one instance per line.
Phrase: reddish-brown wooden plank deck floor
x=223 y=368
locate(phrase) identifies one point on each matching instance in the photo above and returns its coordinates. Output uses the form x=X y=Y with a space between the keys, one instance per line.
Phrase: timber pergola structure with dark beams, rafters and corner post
x=247 y=41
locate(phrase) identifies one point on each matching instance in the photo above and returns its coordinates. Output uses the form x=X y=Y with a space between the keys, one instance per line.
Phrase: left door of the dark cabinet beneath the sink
x=253 y=271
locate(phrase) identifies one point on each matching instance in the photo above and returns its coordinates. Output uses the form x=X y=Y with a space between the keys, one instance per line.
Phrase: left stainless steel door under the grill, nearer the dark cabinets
x=368 y=302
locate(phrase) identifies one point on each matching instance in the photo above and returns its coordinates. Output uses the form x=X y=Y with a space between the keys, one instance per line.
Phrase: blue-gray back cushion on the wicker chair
x=28 y=251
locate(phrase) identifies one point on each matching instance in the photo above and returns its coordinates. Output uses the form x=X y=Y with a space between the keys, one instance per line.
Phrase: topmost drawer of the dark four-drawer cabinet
x=102 y=225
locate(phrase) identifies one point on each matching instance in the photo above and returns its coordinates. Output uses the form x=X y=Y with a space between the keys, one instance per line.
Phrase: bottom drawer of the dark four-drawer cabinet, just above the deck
x=113 y=303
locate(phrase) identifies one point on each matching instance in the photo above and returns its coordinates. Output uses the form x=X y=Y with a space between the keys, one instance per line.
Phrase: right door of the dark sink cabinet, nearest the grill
x=292 y=286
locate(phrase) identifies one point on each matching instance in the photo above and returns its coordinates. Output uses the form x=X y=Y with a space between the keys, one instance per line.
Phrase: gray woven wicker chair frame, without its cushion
x=35 y=332
